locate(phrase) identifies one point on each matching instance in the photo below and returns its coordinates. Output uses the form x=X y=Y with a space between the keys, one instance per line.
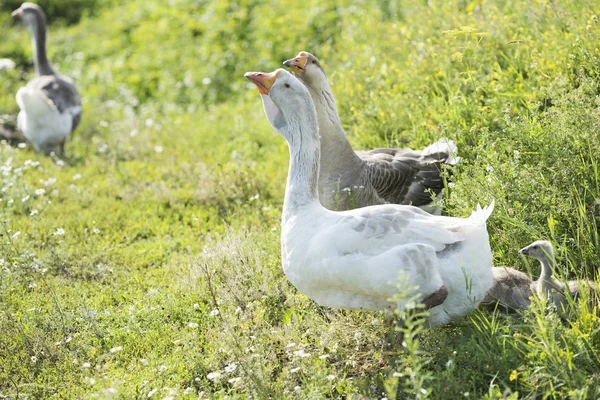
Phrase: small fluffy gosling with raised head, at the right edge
x=549 y=287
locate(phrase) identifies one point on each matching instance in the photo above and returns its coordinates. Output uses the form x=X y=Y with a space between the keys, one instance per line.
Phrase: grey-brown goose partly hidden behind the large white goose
x=351 y=179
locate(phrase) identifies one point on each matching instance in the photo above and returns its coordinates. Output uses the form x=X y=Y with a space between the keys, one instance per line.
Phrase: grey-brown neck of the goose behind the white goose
x=335 y=147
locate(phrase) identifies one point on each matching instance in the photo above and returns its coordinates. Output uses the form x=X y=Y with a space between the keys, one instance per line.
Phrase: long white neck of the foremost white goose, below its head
x=303 y=174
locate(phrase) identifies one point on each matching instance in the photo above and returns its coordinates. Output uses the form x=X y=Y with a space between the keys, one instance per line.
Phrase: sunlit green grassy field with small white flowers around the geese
x=146 y=263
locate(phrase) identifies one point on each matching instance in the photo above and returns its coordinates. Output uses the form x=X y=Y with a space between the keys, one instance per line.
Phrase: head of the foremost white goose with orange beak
x=286 y=101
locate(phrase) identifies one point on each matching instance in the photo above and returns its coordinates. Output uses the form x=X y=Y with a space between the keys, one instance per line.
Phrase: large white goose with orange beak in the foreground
x=355 y=259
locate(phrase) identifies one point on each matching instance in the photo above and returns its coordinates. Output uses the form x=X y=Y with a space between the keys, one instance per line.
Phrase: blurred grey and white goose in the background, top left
x=50 y=105
